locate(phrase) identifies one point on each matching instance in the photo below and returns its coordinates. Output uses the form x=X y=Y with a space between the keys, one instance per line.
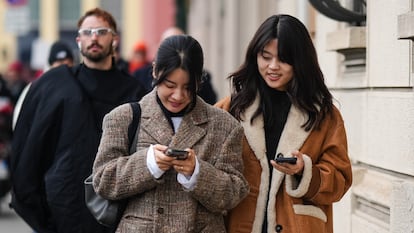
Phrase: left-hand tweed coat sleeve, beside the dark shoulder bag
x=116 y=174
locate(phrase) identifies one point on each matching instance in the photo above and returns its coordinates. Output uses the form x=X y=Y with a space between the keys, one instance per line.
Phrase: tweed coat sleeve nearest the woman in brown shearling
x=221 y=184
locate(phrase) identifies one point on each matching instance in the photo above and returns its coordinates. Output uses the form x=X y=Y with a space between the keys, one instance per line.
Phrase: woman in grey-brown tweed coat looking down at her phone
x=166 y=194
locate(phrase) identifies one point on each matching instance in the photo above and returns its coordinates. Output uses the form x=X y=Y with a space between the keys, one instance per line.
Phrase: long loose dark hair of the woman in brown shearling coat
x=306 y=90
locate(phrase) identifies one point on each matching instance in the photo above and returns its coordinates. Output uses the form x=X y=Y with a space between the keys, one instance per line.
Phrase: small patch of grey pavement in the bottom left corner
x=9 y=221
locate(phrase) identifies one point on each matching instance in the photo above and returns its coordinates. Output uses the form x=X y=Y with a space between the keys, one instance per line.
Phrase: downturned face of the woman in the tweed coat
x=174 y=91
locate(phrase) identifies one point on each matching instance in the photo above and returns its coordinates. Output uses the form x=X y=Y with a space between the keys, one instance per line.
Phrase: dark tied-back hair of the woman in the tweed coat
x=180 y=51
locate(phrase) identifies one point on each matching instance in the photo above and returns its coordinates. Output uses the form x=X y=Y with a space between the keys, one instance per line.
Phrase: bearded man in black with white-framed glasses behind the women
x=59 y=128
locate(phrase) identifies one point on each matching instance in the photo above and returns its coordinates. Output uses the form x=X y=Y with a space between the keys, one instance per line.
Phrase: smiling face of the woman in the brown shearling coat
x=276 y=74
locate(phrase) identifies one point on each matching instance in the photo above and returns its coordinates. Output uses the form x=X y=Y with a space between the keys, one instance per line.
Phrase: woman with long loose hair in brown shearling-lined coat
x=280 y=98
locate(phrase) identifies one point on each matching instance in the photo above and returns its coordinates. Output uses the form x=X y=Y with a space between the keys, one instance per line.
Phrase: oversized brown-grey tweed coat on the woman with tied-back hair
x=163 y=205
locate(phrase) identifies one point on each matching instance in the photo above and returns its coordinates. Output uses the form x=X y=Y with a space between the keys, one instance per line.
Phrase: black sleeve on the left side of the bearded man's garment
x=34 y=140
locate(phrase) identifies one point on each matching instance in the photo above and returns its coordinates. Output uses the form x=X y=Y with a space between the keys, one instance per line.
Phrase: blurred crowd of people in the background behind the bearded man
x=17 y=78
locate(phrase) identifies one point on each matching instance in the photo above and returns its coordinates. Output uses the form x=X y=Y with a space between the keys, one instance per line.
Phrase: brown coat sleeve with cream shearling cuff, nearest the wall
x=328 y=169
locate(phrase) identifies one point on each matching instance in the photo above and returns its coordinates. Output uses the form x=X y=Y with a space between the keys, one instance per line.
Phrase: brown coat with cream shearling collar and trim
x=298 y=205
